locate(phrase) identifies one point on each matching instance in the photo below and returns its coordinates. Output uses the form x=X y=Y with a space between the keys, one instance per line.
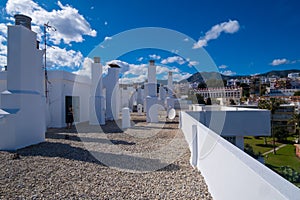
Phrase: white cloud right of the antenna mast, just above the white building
x=57 y=57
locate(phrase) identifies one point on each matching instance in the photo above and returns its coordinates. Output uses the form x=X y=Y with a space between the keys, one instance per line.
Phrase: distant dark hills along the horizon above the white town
x=198 y=77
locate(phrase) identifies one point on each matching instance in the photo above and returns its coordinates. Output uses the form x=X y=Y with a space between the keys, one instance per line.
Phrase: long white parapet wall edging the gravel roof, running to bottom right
x=229 y=172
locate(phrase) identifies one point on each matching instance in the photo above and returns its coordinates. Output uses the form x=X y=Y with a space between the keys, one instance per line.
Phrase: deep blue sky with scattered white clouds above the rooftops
x=241 y=37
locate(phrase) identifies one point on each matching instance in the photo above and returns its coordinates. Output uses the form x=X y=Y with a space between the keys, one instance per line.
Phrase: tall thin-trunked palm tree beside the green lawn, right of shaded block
x=271 y=105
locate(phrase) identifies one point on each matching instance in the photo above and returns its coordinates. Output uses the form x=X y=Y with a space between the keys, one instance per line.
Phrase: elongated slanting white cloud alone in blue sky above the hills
x=226 y=27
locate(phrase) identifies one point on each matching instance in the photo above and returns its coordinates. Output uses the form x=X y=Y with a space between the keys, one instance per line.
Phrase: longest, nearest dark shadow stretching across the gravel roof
x=116 y=161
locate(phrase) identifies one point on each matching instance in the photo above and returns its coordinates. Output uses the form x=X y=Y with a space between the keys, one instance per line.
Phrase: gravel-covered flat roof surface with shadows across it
x=64 y=167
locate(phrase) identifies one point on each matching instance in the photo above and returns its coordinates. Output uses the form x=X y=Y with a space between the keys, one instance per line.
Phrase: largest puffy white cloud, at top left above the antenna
x=70 y=25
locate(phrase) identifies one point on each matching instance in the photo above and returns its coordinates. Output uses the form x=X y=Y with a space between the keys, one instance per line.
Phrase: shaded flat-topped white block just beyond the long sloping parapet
x=232 y=121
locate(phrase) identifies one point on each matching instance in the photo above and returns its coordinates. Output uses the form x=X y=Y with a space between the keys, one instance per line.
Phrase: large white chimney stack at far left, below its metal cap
x=24 y=121
